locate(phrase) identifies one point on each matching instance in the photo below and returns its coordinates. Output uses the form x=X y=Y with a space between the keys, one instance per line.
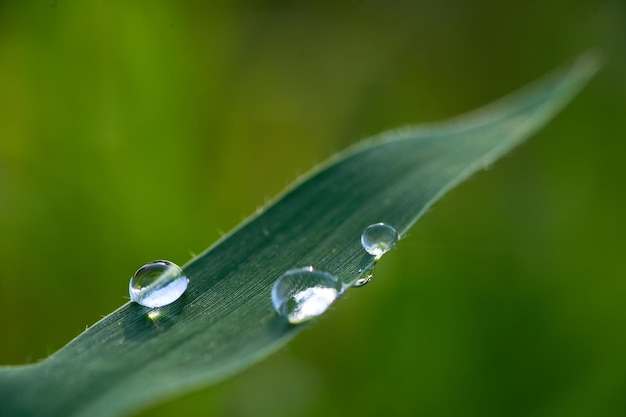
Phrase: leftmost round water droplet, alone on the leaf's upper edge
x=157 y=284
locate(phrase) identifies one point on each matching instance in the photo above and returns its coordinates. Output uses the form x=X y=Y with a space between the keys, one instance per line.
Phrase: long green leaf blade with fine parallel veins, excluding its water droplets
x=225 y=320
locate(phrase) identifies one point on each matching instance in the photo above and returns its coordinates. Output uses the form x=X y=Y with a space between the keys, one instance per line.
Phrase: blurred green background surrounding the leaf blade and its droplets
x=133 y=131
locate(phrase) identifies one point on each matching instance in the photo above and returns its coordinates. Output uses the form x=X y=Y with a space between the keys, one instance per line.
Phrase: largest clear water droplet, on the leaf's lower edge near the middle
x=304 y=293
